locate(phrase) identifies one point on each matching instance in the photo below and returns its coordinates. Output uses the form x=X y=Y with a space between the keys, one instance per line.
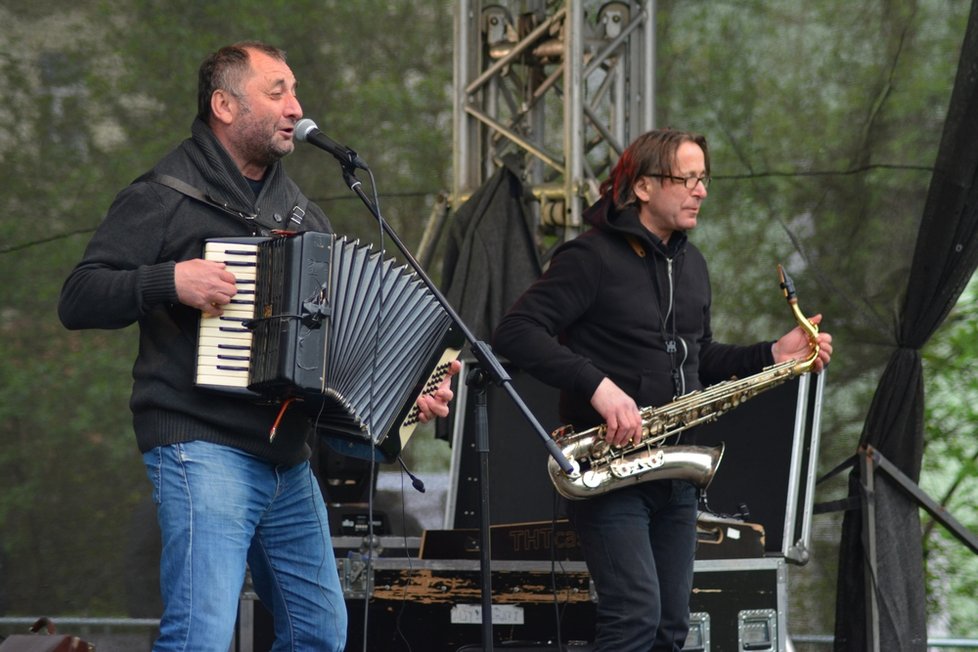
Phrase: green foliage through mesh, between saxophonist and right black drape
x=824 y=121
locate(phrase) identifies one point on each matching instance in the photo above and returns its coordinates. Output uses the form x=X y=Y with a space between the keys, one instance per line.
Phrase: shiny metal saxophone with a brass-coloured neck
x=599 y=467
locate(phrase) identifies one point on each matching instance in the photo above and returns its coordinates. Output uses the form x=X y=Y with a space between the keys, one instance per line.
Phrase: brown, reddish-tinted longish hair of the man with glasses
x=654 y=152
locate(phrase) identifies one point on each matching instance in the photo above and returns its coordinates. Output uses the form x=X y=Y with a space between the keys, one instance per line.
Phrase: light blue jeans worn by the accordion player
x=220 y=509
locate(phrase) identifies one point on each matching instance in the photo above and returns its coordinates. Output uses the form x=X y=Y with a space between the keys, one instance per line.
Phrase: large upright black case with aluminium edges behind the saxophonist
x=766 y=476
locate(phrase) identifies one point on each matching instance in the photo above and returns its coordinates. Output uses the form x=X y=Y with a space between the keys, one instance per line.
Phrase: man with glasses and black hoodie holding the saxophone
x=621 y=319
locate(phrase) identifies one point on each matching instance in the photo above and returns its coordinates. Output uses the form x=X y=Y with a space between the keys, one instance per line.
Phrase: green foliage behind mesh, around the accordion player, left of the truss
x=99 y=91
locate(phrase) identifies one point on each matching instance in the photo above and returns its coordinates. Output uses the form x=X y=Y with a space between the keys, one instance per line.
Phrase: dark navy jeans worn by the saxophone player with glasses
x=639 y=543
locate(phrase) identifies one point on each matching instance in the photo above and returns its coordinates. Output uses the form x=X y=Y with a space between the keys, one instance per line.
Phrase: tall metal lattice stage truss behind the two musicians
x=563 y=86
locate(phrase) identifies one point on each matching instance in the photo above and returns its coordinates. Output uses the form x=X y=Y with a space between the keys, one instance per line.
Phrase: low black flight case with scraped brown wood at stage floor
x=435 y=605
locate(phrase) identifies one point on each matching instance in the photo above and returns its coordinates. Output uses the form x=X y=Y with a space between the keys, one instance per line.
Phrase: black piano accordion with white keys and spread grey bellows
x=331 y=323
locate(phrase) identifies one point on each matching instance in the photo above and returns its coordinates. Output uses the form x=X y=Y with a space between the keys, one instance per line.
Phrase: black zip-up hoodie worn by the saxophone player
x=618 y=303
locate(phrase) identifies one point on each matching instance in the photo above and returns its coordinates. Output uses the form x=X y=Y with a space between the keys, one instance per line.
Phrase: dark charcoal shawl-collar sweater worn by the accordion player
x=126 y=276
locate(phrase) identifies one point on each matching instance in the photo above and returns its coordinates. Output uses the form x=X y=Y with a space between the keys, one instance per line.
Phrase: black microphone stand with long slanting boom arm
x=489 y=370
